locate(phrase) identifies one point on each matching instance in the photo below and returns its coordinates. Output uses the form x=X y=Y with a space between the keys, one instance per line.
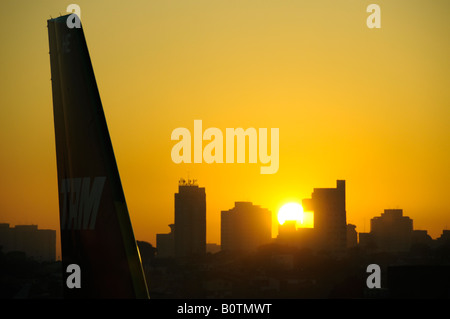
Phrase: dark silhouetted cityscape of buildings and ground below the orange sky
x=326 y=261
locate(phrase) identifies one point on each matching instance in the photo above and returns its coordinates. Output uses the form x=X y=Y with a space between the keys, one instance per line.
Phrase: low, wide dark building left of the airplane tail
x=39 y=244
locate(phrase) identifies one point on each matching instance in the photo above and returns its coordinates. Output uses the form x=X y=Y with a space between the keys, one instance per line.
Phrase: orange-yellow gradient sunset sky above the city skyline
x=371 y=106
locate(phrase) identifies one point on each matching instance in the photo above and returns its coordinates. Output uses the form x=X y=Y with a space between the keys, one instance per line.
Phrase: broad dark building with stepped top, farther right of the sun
x=392 y=231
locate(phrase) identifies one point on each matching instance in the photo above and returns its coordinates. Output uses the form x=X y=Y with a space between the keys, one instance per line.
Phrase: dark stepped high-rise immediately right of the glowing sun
x=330 y=221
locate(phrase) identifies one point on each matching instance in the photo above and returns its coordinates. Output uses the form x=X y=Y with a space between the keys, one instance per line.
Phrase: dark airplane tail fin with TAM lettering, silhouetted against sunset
x=96 y=231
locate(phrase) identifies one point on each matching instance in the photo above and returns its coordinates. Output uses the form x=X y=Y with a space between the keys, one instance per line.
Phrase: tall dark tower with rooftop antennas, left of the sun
x=190 y=220
